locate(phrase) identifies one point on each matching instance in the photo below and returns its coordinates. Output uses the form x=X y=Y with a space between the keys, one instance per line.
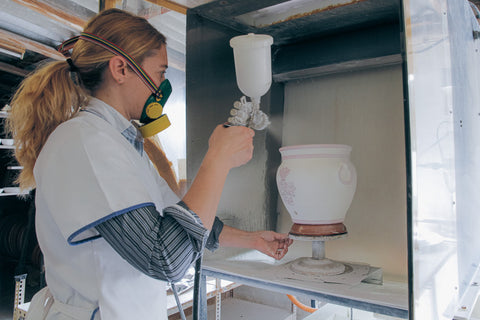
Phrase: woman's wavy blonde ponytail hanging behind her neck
x=44 y=100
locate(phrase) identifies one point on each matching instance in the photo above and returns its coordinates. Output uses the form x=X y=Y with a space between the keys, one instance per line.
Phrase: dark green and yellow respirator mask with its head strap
x=152 y=119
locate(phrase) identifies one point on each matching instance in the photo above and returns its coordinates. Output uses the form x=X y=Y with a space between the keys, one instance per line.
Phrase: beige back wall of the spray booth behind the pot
x=363 y=109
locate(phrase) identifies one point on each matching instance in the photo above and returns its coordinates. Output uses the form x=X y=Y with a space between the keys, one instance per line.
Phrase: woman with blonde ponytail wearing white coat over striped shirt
x=111 y=231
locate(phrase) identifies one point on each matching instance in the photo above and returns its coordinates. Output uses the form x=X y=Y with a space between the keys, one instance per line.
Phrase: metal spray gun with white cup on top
x=253 y=68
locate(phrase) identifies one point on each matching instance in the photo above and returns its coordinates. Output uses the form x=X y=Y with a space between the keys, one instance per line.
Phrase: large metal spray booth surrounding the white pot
x=398 y=82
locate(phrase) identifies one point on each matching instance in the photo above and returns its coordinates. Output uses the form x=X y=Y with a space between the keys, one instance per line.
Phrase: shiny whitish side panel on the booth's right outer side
x=443 y=80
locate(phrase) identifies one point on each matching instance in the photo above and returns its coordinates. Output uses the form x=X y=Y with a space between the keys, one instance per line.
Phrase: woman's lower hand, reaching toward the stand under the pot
x=272 y=243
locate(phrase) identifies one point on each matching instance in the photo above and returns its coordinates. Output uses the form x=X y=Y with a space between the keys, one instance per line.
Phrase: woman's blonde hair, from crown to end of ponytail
x=49 y=96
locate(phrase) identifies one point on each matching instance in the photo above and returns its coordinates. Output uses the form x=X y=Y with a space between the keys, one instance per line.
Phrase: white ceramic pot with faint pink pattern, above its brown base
x=317 y=183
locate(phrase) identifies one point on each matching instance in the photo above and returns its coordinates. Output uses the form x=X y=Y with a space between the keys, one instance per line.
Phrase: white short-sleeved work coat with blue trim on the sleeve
x=86 y=173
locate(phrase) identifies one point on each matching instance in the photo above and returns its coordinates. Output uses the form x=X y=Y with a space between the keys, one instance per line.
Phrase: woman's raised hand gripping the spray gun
x=231 y=146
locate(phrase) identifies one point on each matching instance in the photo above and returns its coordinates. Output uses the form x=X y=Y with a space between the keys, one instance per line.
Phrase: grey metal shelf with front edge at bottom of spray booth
x=250 y=268
